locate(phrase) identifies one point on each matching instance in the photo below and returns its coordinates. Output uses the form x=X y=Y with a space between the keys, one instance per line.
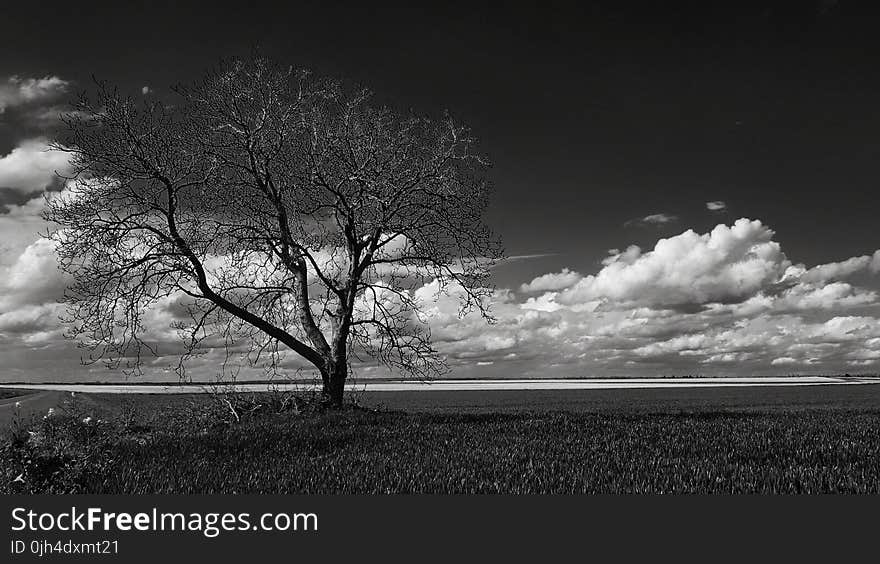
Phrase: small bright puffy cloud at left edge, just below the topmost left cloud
x=32 y=166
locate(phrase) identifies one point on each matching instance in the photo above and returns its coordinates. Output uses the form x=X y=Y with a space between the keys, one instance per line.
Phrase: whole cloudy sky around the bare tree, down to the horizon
x=689 y=188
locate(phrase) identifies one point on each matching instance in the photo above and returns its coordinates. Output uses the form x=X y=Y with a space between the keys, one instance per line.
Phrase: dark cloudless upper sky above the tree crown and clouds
x=593 y=114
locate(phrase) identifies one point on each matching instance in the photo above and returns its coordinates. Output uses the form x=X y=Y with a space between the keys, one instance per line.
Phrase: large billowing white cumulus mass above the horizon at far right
x=728 y=301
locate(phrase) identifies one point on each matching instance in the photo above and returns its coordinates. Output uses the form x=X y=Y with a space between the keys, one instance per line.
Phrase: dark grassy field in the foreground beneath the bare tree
x=267 y=446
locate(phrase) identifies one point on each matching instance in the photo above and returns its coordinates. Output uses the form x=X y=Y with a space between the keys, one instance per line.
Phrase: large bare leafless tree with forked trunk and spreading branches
x=275 y=209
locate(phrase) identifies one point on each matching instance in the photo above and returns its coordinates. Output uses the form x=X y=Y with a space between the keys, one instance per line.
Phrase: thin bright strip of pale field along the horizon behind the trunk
x=470 y=385
